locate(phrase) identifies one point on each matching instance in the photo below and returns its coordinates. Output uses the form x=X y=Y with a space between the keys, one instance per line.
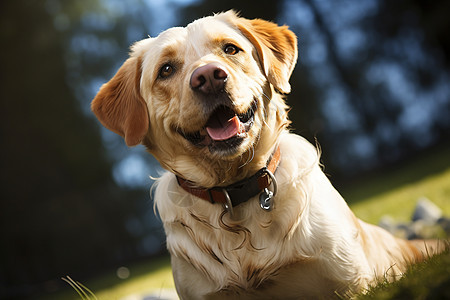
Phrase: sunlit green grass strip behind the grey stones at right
x=395 y=192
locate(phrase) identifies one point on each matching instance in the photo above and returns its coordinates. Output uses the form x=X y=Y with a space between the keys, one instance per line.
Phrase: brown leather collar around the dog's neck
x=240 y=191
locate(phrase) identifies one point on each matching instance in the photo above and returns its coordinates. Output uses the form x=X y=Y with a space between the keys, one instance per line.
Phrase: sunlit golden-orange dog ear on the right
x=276 y=47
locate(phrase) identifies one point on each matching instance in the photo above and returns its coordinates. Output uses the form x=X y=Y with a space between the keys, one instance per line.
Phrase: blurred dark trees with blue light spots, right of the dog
x=379 y=74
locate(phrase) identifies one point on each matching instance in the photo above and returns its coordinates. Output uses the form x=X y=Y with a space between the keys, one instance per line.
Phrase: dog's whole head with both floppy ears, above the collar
x=203 y=94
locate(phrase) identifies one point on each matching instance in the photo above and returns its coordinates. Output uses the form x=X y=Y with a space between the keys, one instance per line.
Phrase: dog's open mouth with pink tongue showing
x=224 y=129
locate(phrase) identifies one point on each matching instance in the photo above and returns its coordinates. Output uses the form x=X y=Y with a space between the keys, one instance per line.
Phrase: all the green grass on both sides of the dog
x=393 y=193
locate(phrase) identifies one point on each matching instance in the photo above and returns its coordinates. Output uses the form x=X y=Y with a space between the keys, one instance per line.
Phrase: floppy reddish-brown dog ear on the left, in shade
x=119 y=105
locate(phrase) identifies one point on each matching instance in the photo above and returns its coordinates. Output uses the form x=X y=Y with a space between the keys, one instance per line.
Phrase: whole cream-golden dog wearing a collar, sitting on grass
x=246 y=208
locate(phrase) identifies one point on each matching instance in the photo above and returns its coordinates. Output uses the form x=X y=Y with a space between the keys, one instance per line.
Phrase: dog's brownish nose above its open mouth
x=209 y=79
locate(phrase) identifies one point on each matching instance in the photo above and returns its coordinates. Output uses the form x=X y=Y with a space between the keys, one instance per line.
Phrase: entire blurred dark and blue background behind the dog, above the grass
x=371 y=86
